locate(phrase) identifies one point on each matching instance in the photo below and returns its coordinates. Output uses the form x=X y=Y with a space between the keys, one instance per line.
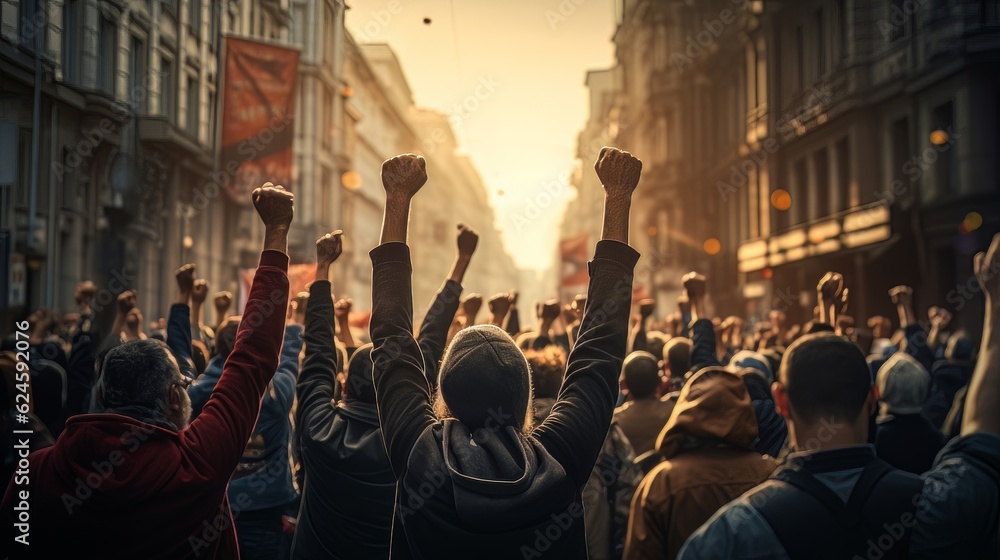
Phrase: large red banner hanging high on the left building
x=258 y=113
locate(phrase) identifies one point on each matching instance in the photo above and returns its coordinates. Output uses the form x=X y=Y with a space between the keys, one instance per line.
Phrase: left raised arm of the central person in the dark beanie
x=401 y=391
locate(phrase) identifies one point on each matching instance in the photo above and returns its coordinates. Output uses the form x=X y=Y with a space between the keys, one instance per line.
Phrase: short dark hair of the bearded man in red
x=138 y=373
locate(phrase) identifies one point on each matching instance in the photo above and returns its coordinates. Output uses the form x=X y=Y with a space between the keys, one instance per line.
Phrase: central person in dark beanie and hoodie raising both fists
x=473 y=481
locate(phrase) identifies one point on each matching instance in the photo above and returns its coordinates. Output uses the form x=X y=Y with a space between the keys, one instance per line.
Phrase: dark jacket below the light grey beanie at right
x=908 y=442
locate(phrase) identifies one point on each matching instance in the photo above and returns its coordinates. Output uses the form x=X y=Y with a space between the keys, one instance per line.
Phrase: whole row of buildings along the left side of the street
x=108 y=165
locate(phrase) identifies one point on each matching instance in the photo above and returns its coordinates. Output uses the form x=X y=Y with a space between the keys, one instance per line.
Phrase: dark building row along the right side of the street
x=784 y=139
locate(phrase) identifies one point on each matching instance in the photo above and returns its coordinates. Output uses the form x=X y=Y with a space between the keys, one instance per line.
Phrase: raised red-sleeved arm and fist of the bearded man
x=221 y=431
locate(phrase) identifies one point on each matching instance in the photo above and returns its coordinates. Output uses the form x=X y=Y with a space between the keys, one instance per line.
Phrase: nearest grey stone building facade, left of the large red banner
x=107 y=130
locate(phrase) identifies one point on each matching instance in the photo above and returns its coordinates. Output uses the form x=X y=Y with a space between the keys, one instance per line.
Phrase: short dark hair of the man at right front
x=825 y=375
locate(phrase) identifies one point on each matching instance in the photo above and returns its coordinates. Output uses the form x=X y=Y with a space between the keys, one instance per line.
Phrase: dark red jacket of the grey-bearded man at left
x=116 y=487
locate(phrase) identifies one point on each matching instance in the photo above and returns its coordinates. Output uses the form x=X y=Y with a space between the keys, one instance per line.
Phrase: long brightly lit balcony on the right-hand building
x=852 y=229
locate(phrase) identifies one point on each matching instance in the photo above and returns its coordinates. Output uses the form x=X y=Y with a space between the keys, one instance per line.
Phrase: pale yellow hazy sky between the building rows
x=511 y=74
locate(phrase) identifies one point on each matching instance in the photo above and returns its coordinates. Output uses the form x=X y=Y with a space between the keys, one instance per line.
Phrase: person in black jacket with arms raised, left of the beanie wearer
x=347 y=500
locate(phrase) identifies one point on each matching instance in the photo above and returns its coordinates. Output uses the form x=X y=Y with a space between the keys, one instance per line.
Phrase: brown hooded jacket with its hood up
x=710 y=461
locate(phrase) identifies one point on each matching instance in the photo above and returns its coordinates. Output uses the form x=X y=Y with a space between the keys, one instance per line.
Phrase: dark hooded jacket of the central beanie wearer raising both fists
x=505 y=495
